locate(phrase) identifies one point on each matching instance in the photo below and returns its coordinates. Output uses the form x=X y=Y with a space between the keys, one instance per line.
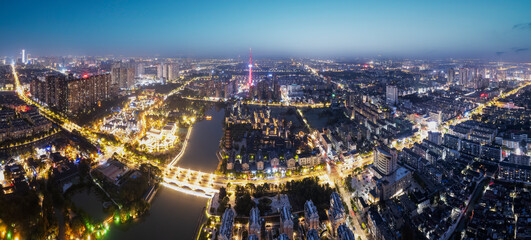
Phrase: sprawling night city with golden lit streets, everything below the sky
x=165 y=140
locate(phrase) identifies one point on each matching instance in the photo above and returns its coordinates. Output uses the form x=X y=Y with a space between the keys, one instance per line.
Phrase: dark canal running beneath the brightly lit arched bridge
x=174 y=215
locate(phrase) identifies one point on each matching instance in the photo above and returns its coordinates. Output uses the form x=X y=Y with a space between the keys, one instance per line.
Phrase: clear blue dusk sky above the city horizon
x=350 y=28
